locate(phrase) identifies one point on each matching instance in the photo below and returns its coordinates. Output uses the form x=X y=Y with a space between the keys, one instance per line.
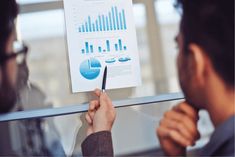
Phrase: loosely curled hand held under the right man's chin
x=178 y=129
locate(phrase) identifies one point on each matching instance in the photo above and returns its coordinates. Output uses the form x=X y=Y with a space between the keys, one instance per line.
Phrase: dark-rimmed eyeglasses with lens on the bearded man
x=20 y=51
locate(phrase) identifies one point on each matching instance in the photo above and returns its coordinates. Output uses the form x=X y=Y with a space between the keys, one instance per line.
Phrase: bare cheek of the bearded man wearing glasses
x=12 y=71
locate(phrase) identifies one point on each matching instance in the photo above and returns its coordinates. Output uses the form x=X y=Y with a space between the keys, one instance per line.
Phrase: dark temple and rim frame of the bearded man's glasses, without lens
x=4 y=58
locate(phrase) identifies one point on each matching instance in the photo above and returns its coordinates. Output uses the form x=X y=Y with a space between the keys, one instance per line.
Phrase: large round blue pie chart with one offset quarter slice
x=90 y=69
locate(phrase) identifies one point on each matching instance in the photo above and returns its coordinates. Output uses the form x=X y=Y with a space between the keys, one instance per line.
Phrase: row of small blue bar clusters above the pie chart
x=109 y=46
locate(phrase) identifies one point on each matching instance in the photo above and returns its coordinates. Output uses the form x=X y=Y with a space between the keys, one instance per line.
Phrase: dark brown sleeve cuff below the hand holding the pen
x=98 y=144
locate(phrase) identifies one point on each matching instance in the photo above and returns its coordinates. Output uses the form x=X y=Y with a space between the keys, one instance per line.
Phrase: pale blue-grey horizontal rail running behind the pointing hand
x=80 y=108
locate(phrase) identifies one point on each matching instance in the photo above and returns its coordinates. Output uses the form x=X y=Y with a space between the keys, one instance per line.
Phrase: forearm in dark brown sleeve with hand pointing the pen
x=100 y=118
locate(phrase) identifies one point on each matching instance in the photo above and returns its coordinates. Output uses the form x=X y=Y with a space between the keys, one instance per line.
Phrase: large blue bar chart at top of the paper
x=112 y=21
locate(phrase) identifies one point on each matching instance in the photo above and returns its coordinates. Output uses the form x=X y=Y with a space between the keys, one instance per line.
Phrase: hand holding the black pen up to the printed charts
x=101 y=114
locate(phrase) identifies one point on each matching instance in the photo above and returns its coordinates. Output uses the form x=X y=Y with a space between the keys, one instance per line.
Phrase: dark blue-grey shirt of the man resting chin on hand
x=222 y=140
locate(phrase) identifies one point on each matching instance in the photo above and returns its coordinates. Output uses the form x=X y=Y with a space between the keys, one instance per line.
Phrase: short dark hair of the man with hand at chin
x=210 y=24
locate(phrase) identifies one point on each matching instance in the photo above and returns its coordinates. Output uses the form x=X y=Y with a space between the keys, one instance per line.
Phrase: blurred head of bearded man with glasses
x=11 y=54
